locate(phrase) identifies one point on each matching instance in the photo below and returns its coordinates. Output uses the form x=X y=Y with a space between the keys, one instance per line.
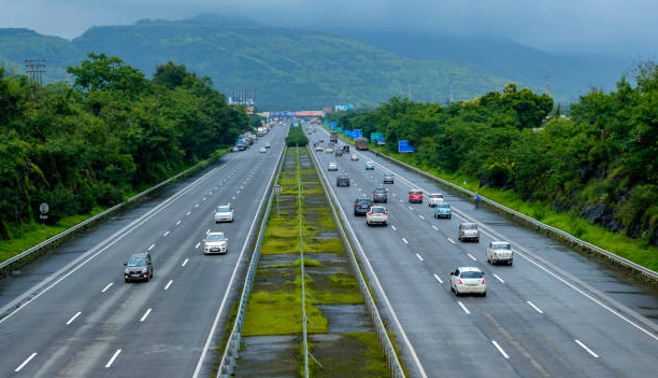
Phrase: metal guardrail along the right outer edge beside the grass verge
x=564 y=236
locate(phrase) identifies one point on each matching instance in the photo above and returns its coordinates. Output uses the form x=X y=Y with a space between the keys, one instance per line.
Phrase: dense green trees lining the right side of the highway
x=599 y=162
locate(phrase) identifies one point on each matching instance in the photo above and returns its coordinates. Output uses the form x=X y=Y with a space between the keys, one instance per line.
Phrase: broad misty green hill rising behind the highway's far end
x=299 y=69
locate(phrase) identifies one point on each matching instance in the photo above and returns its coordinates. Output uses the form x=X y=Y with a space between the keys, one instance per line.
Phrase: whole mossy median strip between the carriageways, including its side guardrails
x=339 y=333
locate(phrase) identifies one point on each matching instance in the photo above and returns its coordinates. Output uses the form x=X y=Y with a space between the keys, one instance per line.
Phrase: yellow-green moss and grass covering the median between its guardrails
x=275 y=302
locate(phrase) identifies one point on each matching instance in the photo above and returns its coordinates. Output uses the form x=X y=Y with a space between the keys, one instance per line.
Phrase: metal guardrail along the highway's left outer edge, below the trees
x=44 y=246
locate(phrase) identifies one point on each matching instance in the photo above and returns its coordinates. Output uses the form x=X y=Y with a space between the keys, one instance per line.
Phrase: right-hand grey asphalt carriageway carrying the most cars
x=554 y=313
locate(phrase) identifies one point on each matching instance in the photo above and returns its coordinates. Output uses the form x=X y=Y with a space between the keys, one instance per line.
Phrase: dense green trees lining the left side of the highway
x=110 y=134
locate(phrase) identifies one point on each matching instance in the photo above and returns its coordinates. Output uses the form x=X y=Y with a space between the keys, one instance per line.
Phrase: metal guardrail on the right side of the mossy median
x=392 y=360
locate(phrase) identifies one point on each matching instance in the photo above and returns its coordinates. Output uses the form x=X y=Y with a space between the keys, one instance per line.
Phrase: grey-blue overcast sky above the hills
x=628 y=27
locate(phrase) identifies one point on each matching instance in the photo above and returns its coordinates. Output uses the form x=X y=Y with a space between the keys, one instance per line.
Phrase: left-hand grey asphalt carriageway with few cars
x=78 y=318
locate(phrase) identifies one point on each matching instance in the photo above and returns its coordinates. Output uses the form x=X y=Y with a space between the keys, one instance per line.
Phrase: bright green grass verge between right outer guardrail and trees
x=636 y=250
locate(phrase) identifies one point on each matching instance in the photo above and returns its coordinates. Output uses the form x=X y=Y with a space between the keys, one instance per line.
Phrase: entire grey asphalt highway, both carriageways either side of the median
x=553 y=313
